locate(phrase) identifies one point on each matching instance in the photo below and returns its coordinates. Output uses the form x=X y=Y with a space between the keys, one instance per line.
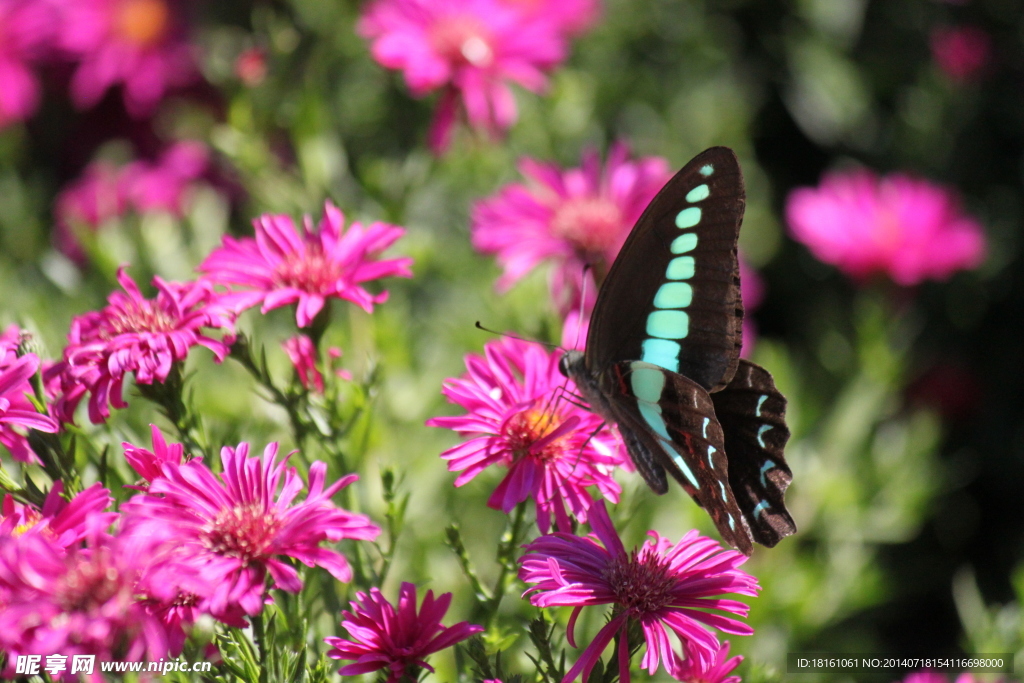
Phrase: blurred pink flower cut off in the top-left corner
x=26 y=32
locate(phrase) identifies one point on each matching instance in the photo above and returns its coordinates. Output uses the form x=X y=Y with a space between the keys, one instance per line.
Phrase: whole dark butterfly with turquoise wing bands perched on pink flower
x=662 y=359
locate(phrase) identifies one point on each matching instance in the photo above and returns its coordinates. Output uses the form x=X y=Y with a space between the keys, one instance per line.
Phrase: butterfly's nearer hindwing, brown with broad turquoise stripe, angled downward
x=668 y=423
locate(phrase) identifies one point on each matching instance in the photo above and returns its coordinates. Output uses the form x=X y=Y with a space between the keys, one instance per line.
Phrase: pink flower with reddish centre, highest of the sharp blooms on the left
x=281 y=267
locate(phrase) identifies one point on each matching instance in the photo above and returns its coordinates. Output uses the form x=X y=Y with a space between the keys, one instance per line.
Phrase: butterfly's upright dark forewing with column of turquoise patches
x=675 y=285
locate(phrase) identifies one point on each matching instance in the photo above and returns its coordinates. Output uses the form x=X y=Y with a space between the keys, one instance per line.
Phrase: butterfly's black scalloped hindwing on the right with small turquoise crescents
x=753 y=415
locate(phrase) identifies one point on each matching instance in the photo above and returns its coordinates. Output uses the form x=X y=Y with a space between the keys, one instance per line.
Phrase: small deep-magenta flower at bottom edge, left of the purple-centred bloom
x=399 y=641
